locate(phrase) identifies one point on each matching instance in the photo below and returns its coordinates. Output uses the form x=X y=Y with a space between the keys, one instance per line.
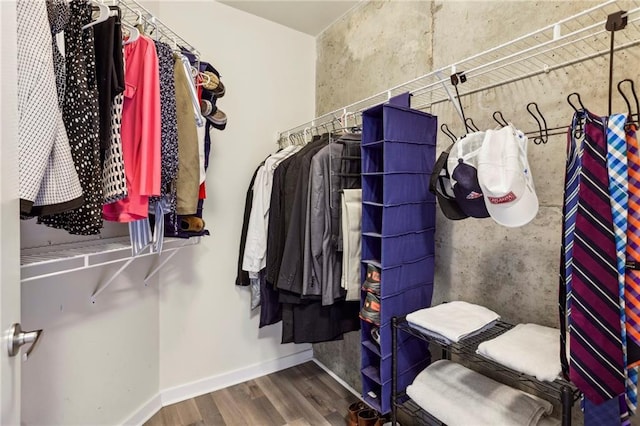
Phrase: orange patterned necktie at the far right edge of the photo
x=632 y=279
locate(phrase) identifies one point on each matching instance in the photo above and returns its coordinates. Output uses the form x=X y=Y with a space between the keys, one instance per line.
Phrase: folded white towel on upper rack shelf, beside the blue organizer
x=453 y=320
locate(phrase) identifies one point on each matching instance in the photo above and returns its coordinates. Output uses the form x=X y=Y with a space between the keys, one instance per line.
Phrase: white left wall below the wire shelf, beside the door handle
x=96 y=363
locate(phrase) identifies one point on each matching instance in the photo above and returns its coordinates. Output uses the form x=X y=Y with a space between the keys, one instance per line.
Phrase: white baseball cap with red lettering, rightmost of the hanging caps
x=505 y=177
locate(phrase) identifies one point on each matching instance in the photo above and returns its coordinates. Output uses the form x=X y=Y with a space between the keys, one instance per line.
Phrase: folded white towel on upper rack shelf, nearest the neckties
x=528 y=348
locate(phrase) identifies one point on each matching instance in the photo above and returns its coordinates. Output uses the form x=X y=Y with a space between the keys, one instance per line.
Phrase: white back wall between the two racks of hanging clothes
x=206 y=327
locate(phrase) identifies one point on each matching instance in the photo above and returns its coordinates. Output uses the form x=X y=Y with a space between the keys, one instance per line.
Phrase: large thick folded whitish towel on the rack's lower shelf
x=457 y=395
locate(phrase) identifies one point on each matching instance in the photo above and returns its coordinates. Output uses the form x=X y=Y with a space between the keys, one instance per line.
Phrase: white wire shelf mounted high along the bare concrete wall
x=569 y=41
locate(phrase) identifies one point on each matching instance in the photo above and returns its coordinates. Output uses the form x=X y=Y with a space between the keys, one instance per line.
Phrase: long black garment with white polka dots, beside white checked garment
x=80 y=113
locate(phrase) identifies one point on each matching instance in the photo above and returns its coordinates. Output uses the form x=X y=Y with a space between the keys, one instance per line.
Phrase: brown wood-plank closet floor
x=300 y=395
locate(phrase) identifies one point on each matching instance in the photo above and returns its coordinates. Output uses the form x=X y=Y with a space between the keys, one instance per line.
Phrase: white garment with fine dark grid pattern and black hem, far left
x=48 y=181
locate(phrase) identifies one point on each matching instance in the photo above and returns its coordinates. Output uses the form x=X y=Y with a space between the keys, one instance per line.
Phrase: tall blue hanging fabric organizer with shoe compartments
x=398 y=227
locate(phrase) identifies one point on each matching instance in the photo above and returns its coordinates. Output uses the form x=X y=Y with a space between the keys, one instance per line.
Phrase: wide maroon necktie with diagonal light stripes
x=596 y=365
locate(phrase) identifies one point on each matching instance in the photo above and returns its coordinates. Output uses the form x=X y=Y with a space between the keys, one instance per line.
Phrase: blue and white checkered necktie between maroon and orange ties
x=618 y=191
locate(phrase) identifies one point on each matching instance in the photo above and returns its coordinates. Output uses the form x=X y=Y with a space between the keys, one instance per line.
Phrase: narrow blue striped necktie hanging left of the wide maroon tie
x=569 y=210
